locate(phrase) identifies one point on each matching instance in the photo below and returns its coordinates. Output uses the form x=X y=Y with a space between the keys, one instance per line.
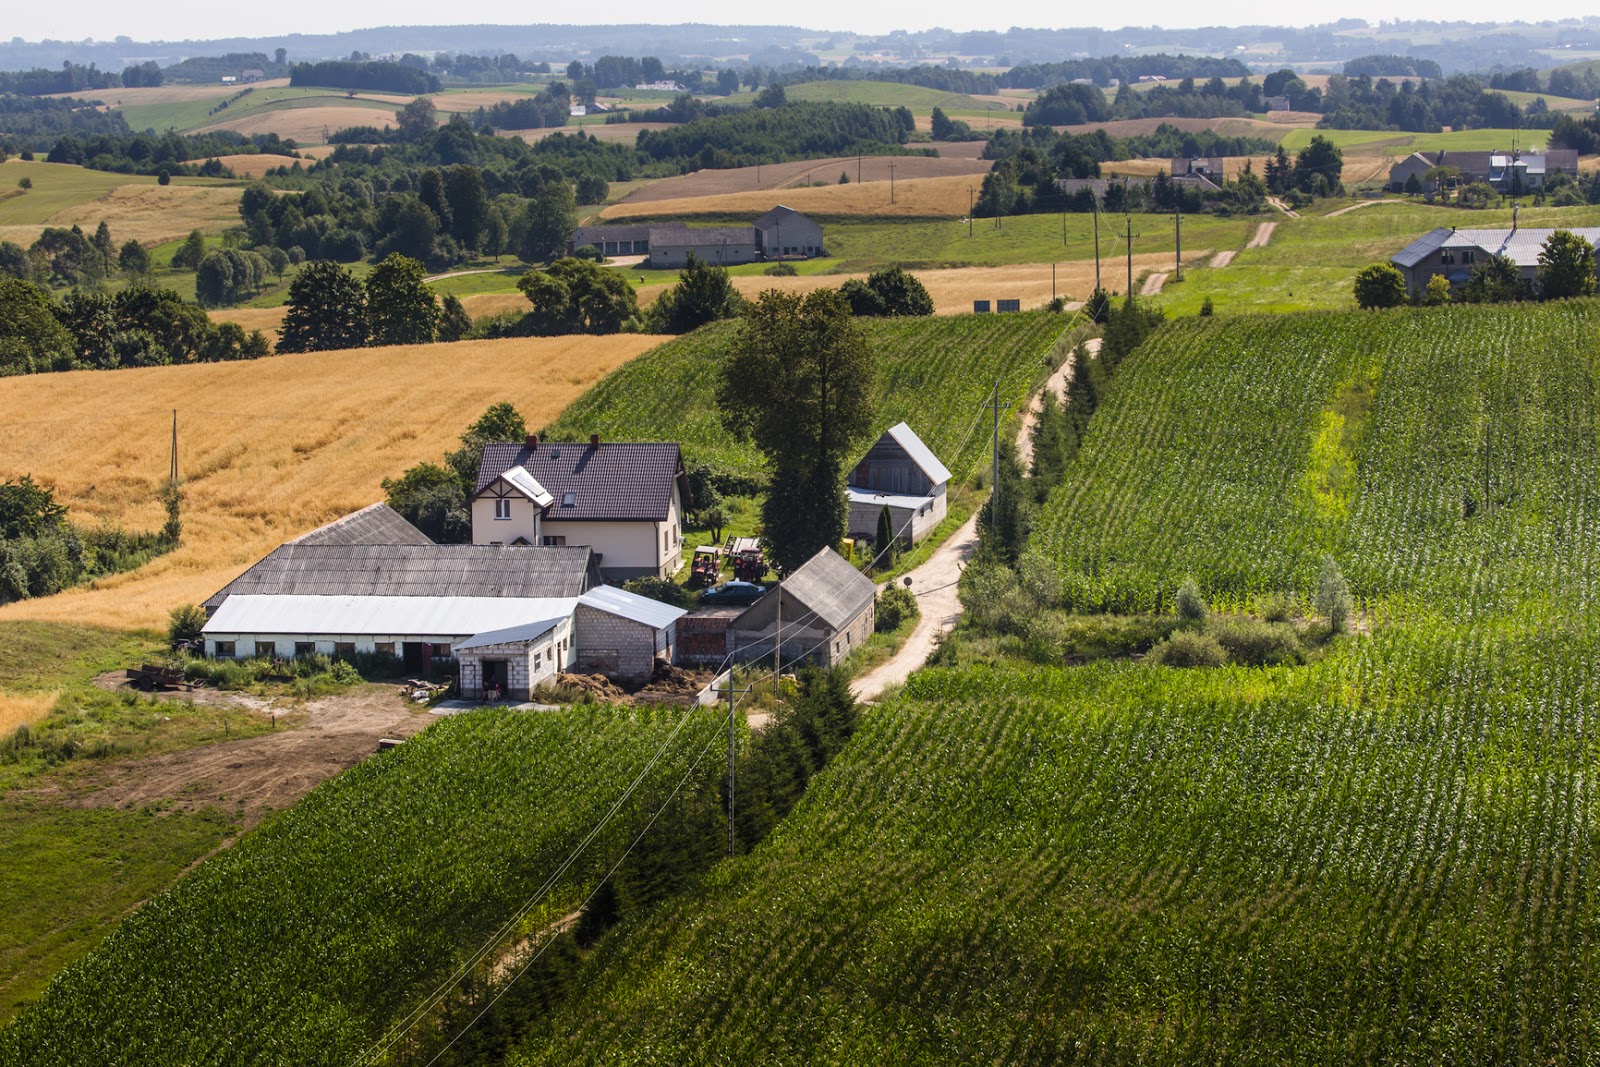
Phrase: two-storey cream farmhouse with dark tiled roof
x=623 y=502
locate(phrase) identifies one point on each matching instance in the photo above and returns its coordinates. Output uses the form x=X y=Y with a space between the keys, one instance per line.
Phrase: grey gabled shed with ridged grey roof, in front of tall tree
x=823 y=612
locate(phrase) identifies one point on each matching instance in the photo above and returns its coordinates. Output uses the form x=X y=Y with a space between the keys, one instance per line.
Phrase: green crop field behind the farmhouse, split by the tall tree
x=934 y=374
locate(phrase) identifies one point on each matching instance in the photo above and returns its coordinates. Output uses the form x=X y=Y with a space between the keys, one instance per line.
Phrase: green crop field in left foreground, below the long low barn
x=380 y=884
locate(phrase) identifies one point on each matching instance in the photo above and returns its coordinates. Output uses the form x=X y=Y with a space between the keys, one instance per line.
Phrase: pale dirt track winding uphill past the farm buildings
x=937 y=581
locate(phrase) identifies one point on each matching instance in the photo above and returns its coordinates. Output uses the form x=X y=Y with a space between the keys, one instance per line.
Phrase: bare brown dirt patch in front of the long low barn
x=254 y=775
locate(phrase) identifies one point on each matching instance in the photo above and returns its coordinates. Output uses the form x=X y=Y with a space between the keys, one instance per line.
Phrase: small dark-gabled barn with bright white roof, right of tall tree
x=898 y=473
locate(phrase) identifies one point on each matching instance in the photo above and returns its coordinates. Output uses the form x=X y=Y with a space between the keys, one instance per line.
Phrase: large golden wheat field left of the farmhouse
x=268 y=449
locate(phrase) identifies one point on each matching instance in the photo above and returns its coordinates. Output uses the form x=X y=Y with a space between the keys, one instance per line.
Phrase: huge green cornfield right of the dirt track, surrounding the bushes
x=1386 y=857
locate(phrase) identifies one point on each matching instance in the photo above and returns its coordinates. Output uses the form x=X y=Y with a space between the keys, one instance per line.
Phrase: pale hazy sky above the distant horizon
x=193 y=20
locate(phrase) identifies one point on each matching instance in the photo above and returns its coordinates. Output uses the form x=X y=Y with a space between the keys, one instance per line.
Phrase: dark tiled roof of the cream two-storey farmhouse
x=609 y=482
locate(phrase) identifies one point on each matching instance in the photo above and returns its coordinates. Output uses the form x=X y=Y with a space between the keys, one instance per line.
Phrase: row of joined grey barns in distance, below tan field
x=780 y=234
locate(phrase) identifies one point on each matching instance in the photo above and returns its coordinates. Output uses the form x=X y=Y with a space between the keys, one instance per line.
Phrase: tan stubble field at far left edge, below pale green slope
x=145 y=214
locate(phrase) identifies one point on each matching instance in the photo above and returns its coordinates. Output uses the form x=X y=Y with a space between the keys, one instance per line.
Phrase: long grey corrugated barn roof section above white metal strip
x=433 y=570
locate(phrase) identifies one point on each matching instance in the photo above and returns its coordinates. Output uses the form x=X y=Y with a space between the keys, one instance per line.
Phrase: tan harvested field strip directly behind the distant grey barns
x=919 y=198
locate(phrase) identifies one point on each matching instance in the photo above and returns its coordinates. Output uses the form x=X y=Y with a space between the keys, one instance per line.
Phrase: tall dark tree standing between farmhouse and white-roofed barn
x=799 y=385
